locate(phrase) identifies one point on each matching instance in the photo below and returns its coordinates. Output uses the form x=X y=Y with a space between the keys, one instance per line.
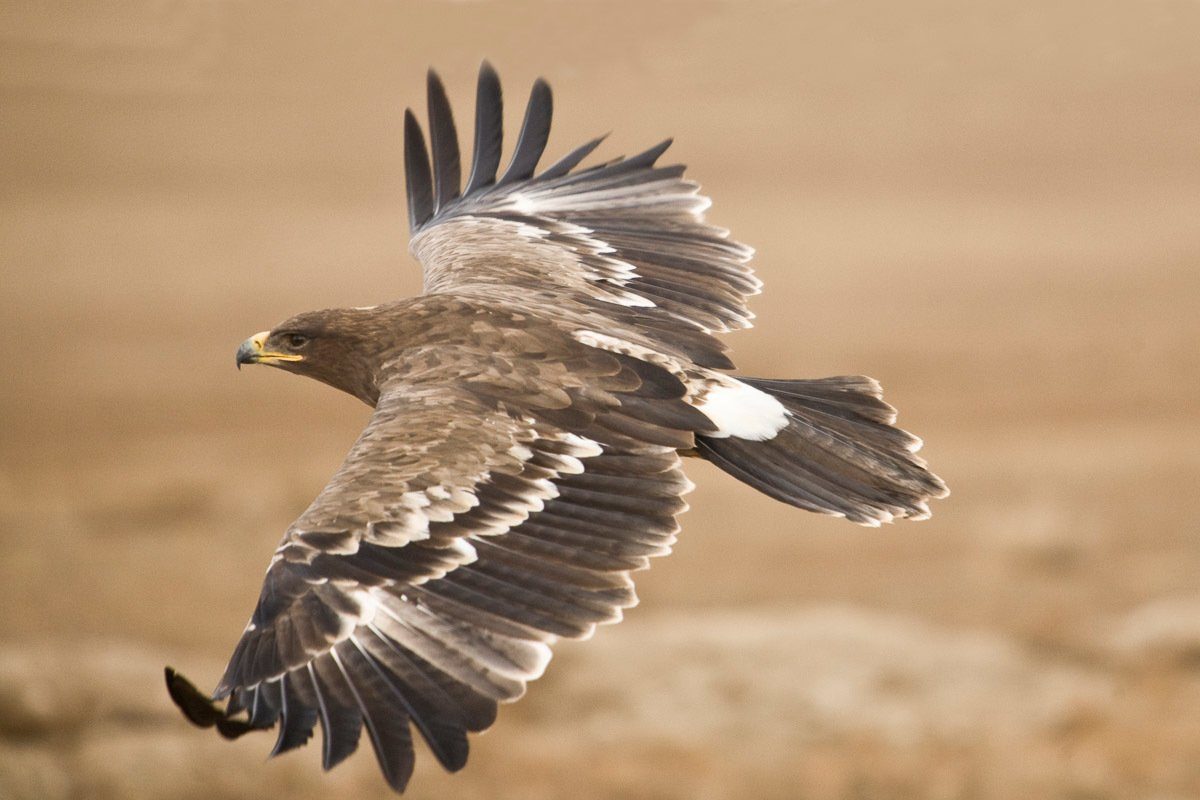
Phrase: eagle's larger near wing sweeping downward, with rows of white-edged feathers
x=465 y=532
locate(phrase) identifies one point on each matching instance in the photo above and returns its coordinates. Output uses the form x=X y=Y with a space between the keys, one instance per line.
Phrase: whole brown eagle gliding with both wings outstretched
x=524 y=459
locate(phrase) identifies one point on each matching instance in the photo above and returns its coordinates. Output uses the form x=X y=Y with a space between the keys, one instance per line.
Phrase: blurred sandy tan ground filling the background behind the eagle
x=991 y=207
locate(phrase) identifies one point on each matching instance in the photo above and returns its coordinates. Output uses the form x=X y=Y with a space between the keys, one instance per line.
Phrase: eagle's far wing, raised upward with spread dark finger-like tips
x=625 y=234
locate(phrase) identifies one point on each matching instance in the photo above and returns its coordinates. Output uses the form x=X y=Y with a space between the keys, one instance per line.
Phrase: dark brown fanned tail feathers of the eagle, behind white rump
x=836 y=452
